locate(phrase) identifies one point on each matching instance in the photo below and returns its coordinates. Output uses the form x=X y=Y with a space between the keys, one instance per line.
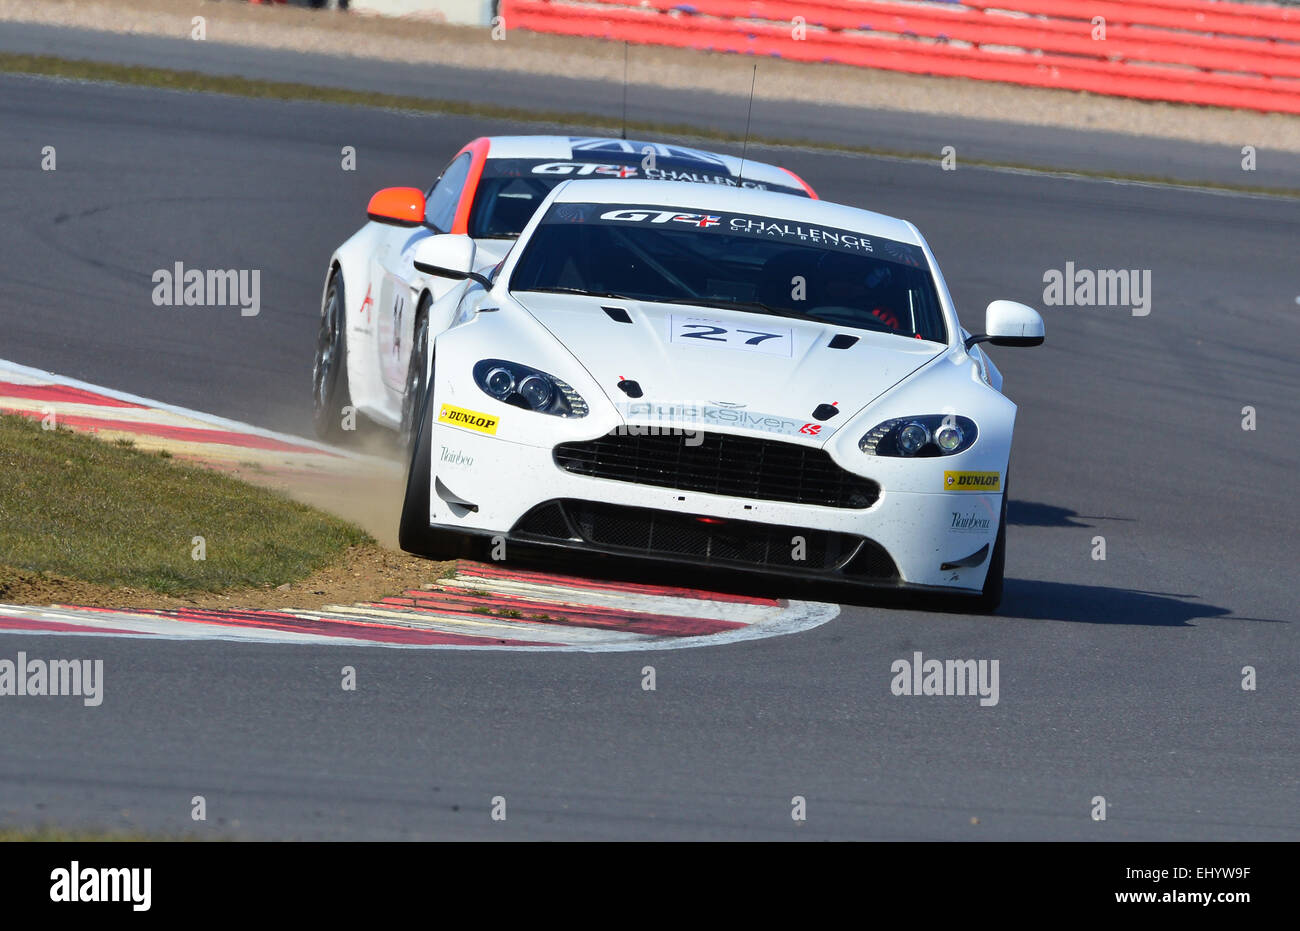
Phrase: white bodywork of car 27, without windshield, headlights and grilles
x=917 y=519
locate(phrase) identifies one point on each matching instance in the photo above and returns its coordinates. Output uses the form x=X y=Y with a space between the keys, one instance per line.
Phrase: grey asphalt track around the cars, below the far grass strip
x=1119 y=678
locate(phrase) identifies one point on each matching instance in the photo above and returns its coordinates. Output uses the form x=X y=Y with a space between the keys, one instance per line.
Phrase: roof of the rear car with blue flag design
x=630 y=151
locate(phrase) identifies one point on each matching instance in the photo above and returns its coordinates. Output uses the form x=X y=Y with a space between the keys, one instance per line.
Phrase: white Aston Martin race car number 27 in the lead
x=716 y=378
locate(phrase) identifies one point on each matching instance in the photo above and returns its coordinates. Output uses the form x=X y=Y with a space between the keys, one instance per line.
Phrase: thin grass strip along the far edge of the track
x=166 y=79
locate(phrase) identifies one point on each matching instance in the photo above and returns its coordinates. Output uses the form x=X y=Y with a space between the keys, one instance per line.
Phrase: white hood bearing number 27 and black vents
x=727 y=370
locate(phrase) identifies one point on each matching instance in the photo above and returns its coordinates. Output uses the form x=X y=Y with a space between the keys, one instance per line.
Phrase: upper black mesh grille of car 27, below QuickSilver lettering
x=721 y=464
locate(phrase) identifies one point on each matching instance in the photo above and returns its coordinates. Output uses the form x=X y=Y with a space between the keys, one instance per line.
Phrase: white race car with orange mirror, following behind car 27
x=376 y=326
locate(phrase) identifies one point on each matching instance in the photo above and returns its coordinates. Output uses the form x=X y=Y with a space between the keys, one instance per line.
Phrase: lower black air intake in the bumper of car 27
x=699 y=539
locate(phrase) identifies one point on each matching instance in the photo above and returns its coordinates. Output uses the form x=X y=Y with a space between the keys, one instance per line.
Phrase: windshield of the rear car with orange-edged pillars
x=512 y=190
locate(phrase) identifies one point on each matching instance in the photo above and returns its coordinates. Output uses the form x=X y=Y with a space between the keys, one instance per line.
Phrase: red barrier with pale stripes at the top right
x=1188 y=51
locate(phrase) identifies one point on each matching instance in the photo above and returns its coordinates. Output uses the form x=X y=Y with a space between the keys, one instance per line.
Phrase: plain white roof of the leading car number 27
x=709 y=198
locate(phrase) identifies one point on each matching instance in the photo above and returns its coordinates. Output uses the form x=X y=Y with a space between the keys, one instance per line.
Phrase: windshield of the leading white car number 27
x=734 y=261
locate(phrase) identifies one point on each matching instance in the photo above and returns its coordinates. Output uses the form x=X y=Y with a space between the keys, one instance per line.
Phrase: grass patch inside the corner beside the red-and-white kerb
x=112 y=516
